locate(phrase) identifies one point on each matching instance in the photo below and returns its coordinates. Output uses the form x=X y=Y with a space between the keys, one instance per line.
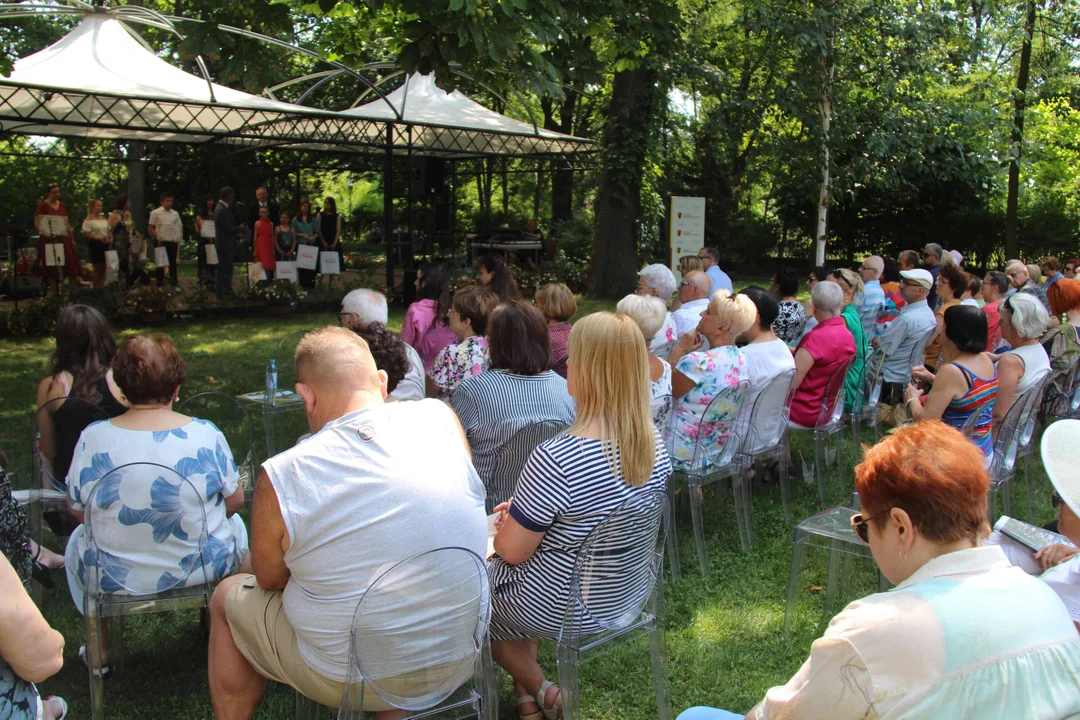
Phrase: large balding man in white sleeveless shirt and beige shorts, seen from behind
x=376 y=484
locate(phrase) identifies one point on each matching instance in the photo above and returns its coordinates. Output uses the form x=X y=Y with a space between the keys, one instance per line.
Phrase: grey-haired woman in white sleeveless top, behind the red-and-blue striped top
x=1023 y=322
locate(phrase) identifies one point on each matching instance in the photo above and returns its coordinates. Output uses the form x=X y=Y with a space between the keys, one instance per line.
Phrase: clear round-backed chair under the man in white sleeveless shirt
x=420 y=640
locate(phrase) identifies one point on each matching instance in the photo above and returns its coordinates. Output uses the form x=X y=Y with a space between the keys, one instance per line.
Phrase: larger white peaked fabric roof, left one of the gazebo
x=101 y=83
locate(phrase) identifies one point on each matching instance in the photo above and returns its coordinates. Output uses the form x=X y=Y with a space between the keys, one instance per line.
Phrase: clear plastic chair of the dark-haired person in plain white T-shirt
x=765 y=441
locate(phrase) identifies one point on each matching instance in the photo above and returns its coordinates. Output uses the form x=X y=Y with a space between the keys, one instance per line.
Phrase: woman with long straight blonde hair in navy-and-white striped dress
x=570 y=485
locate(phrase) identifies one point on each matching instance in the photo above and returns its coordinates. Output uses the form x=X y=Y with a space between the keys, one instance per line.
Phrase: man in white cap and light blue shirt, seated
x=915 y=321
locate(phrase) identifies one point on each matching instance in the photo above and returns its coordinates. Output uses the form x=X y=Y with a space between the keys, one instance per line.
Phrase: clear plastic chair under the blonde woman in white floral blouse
x=715 y=458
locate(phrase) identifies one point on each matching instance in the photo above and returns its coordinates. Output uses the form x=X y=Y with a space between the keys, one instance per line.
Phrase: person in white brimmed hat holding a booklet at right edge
x=1058 y=564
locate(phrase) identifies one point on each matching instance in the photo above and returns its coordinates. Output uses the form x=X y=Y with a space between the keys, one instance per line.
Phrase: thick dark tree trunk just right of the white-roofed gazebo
x=619 y=199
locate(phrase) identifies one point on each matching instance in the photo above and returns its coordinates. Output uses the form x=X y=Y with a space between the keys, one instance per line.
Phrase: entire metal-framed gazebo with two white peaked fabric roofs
x=103 y=81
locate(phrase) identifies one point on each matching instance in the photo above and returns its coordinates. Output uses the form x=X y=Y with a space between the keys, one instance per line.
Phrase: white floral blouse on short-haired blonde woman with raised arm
x=717 y=372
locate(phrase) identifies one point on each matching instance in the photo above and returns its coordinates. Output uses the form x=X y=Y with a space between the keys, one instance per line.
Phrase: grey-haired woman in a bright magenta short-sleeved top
x=825 y=349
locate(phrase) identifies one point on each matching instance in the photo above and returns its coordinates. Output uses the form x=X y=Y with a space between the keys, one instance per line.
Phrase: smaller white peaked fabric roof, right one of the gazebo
x=453 y=126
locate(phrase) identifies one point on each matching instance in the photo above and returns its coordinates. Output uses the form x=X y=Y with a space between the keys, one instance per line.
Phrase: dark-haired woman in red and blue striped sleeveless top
x=966 y=386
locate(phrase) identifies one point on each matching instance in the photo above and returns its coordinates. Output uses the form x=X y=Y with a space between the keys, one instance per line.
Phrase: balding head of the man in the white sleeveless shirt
x=337 y=361
